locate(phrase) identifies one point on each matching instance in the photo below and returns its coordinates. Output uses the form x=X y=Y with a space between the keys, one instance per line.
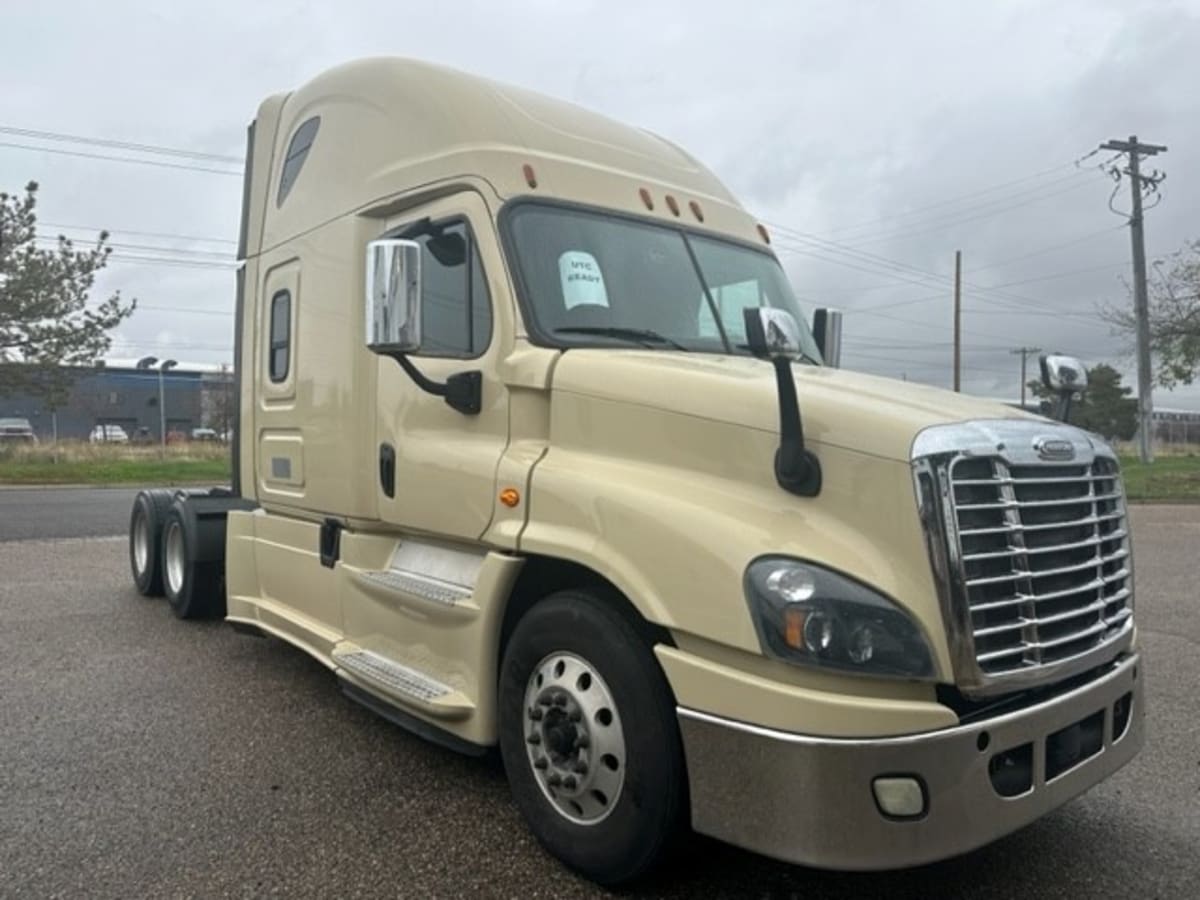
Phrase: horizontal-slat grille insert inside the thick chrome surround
x=1043 y=555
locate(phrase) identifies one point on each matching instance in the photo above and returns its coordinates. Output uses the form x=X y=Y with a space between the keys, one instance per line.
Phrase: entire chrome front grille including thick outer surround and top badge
x=1007 y=623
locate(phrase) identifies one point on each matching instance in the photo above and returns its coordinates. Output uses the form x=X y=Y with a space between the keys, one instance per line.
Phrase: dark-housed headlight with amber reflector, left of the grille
x=813 y=616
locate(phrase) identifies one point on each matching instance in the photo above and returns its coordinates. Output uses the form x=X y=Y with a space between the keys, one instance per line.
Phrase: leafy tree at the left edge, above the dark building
x=46 y=327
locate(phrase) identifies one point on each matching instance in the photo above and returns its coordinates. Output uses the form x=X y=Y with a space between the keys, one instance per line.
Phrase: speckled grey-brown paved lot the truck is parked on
x=141 y=757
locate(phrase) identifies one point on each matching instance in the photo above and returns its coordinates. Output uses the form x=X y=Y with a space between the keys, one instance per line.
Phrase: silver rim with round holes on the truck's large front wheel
x=574 y=739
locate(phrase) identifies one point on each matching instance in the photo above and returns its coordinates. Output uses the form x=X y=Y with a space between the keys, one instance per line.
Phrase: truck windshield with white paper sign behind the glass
x=592 y=279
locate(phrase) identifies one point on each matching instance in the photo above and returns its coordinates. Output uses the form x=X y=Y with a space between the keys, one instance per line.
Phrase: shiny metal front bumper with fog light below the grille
x=811 y=801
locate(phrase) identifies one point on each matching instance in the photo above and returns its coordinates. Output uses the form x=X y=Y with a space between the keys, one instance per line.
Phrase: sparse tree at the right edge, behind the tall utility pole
x=1174 y=299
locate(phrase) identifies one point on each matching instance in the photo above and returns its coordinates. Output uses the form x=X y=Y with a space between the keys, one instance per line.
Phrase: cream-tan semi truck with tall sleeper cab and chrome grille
x=535 y=452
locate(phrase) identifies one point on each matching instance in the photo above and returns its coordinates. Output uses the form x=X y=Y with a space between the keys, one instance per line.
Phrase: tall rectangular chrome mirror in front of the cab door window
x=394 y=297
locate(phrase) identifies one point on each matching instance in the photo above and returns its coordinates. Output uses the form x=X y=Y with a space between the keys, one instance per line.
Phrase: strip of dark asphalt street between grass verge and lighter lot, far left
x=64 y=513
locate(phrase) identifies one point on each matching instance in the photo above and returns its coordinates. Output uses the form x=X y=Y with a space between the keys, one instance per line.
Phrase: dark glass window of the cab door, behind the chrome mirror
x=457 y=308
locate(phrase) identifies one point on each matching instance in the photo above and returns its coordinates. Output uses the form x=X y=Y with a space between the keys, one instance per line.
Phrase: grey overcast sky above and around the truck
x=875 y=139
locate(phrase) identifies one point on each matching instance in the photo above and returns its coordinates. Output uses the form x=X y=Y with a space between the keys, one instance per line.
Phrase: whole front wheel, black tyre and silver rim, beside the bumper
x=590 y=739
